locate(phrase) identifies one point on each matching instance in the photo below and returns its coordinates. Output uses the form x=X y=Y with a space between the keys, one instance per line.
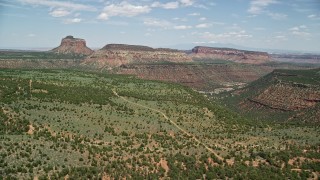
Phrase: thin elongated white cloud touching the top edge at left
x=59 y=4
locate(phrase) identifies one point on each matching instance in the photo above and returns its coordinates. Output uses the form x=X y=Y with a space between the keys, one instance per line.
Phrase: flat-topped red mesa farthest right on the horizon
x=239 y=56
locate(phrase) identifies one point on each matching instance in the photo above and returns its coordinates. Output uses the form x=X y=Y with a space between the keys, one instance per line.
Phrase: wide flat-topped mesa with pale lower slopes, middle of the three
x=115 y=55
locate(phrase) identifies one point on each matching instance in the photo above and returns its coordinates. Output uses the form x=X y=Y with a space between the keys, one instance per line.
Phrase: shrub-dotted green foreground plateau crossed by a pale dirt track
x=62 y=123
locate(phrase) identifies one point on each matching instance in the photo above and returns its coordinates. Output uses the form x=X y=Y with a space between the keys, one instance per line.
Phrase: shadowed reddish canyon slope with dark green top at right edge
x=283 y=95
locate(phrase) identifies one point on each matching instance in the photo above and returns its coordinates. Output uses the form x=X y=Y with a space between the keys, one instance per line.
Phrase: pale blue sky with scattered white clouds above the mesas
x=261 y=24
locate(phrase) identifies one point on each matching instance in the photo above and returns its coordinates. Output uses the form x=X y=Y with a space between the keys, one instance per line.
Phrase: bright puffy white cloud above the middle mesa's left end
x=123 y=9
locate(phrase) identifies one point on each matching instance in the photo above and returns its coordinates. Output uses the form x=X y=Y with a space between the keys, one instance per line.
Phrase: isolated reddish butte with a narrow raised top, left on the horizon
x=71 y=45
